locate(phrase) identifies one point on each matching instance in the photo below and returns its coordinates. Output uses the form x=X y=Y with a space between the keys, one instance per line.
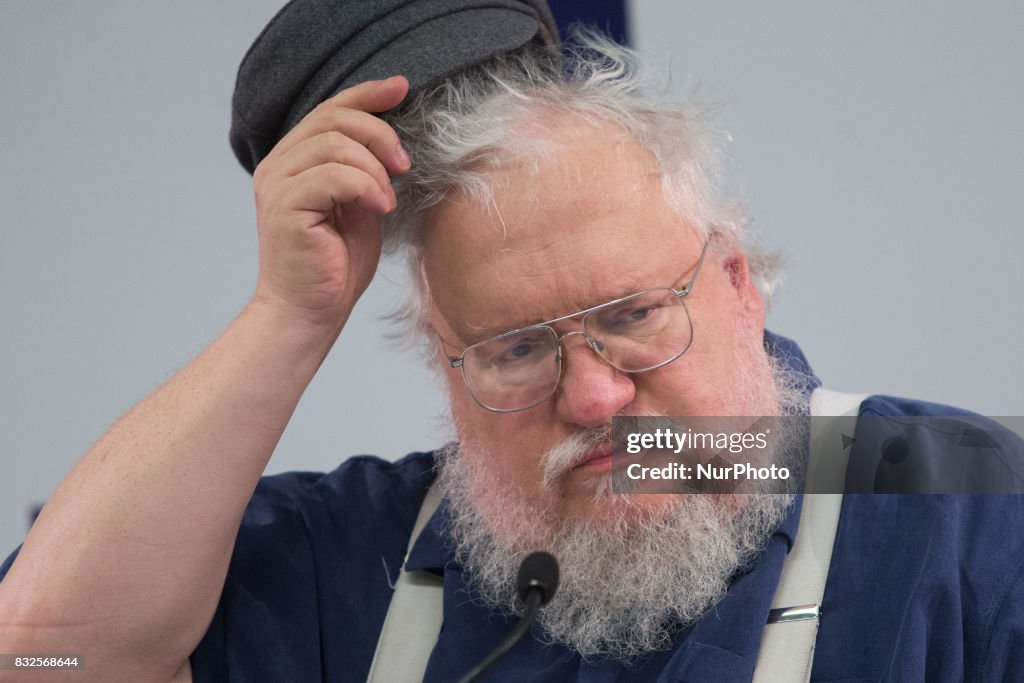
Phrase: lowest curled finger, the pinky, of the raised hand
x=325 y=187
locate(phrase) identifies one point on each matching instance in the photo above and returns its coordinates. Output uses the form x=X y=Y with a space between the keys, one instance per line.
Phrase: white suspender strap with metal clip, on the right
x=788 y=641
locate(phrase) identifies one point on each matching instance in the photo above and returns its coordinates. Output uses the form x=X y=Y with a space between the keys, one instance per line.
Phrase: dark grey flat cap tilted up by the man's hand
x=313 y=50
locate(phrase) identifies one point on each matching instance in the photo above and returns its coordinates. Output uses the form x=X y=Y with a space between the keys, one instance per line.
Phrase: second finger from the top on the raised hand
x=365 y=129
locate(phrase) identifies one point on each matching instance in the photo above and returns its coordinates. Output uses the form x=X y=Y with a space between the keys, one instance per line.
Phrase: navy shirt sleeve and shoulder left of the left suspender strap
x=310 y=581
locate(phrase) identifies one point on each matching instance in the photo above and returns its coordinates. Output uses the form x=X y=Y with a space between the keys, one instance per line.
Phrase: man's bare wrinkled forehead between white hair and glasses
x=583 y=224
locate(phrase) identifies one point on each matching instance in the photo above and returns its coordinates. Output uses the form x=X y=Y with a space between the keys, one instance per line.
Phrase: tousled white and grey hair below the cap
x=492 y=115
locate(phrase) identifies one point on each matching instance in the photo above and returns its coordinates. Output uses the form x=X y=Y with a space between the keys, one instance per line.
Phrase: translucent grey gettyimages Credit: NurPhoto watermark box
x=867 y=455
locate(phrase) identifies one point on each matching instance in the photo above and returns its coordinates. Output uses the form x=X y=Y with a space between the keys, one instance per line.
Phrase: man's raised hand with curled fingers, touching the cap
x=320 y=195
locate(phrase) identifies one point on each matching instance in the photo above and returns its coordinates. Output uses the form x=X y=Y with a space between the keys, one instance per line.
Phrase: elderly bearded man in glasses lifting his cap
x=572 y=263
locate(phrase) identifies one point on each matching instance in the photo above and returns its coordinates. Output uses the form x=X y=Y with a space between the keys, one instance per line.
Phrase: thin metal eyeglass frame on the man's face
x=594 y=345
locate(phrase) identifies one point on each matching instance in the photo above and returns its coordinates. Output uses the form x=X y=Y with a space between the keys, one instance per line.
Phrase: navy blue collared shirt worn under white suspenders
x=920 y=587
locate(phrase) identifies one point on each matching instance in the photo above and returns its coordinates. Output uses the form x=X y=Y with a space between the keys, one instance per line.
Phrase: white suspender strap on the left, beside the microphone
x=415 y=616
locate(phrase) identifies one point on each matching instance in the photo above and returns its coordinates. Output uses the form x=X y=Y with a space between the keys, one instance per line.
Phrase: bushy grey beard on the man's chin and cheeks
x=629 y=583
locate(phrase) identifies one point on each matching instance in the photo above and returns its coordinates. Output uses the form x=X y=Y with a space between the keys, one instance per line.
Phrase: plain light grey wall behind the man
x=880 y=148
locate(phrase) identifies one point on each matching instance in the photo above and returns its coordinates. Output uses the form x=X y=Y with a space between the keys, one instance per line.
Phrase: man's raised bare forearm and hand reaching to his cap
x=127 y=562
